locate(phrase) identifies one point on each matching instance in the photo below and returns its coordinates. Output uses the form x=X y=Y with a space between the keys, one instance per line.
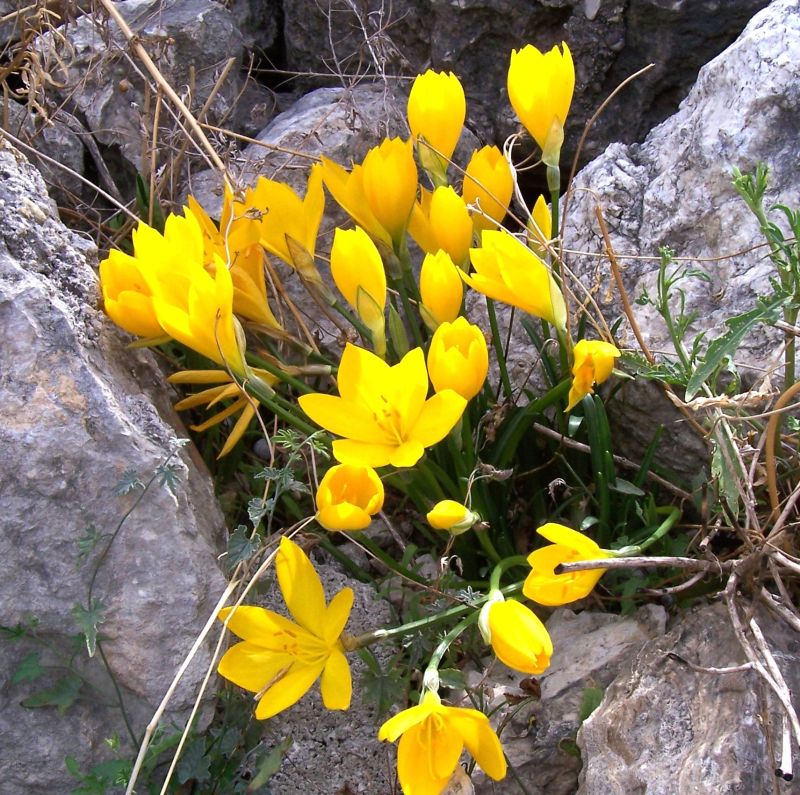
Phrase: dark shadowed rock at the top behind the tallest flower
x=610 y=40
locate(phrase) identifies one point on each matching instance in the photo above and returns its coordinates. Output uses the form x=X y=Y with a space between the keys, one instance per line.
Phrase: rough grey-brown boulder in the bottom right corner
x=663 y=728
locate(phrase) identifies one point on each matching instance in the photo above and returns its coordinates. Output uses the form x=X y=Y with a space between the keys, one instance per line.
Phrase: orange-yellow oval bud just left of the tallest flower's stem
x=488 y=184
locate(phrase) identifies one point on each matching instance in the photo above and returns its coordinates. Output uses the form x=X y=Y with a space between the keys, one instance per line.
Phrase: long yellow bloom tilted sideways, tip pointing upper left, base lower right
x=508 y=271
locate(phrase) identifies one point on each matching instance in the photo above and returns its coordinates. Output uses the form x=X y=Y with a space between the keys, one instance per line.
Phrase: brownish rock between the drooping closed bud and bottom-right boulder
x=591 y=649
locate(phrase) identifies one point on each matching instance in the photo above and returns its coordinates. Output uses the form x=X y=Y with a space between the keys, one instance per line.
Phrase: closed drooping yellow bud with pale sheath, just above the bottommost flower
x=517 y=636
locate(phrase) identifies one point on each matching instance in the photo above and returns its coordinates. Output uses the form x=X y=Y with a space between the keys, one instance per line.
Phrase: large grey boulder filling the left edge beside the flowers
x=78 y=412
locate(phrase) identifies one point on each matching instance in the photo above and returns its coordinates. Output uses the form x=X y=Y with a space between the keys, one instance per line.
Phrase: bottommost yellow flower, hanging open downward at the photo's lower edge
x=433 y=737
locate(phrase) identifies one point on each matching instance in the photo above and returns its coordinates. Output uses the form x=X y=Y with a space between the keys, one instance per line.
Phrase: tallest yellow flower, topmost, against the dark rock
x=540 y=87
